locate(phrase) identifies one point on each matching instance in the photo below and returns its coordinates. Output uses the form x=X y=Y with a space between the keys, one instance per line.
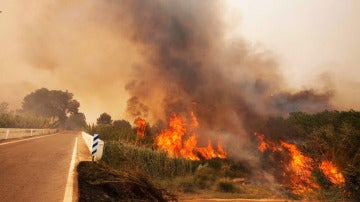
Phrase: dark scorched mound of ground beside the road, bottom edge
x=98 y=182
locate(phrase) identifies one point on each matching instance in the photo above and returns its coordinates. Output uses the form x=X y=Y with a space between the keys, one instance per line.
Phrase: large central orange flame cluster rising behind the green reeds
x=172 y=140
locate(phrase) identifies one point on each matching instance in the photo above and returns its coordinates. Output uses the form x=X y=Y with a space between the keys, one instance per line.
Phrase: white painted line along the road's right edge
x=68 y=196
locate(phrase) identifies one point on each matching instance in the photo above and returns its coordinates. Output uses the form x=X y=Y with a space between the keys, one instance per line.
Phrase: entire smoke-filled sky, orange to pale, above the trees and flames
x=249 y=57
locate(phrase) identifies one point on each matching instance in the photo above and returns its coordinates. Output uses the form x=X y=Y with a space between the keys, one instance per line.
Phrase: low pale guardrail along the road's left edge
x=10 y=133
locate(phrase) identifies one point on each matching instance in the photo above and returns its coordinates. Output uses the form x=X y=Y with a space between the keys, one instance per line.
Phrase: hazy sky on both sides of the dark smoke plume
x=61 y=45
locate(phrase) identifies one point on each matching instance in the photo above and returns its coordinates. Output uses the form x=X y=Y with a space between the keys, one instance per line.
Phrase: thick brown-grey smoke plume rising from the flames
x=190 y=66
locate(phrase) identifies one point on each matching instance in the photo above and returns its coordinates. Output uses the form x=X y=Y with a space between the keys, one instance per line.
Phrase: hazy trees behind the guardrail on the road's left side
x=44 y=108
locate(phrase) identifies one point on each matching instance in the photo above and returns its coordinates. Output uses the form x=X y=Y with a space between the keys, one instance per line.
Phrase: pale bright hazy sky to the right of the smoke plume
x=311 y=38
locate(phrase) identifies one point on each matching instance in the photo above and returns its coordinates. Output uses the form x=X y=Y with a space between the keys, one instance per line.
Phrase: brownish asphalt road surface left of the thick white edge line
x=36 y=169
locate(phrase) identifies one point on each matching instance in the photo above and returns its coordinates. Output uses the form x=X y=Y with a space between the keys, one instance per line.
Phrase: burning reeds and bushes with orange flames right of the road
x=294 y=165
